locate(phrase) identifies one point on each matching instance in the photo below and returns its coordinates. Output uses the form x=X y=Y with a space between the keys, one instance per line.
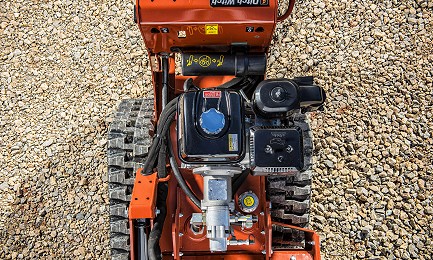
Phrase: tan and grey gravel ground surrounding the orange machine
x=65 y=66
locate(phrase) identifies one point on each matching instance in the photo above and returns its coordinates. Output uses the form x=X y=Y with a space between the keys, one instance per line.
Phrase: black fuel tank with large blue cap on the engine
x=210 y=127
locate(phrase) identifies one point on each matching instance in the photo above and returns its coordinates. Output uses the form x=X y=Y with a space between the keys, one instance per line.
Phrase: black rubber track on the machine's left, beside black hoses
x=128 y=143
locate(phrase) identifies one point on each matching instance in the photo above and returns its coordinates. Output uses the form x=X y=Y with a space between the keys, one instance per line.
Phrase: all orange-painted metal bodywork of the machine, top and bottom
x=169 y=26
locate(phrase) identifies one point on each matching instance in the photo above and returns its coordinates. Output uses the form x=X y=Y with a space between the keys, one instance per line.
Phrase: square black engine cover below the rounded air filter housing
x=276 y=151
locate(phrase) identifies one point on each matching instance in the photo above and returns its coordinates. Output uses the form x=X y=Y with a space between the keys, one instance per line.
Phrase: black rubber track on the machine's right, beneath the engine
x=290 y=195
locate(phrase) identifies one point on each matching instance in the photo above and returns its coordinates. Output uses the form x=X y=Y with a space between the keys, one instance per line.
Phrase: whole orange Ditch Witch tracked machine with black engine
x=217 y=164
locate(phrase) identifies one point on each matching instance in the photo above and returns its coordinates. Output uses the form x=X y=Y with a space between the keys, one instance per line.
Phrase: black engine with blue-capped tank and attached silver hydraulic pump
x=222 y=132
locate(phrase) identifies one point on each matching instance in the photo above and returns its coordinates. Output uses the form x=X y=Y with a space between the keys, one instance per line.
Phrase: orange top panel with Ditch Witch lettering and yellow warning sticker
x=170 y=25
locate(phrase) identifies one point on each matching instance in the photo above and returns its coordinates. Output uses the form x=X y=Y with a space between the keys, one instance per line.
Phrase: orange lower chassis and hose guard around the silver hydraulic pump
x=179 y=242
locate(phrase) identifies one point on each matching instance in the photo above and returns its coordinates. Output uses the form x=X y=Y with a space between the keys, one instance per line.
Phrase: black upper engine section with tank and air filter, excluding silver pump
x=211 y=125
